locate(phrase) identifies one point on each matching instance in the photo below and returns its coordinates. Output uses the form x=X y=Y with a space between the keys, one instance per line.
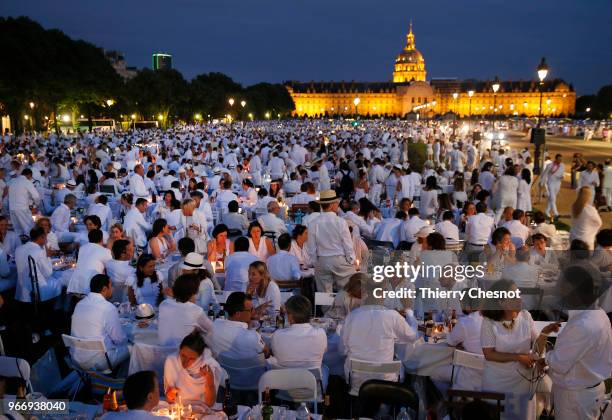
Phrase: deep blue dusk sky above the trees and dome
x=278 y=40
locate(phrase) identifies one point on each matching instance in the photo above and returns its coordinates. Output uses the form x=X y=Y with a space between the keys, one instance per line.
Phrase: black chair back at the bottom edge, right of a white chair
x=375 y=392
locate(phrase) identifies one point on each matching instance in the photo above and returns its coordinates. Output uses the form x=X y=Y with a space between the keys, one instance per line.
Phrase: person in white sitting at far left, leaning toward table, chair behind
x=49 y=285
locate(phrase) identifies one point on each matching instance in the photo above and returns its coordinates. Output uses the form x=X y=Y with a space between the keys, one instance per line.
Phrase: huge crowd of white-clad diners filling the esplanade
x=264 y=207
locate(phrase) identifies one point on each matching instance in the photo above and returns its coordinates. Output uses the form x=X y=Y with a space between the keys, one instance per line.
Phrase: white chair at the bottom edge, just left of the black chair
x=288 y=380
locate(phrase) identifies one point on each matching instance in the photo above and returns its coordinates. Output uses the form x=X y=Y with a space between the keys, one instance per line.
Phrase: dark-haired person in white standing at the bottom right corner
x=582 y=357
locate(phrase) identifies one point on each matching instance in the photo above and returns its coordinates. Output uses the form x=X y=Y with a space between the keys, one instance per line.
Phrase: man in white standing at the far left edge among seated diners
x=22 y=194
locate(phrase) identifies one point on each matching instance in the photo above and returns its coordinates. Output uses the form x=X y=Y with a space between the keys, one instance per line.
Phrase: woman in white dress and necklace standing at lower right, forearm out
x=510 y=344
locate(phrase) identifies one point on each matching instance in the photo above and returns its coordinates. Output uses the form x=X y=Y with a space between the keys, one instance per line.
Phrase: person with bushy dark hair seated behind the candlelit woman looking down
x=179 y=315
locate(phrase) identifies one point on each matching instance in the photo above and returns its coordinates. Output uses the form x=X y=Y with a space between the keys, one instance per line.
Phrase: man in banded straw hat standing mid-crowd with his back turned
x=330 y=242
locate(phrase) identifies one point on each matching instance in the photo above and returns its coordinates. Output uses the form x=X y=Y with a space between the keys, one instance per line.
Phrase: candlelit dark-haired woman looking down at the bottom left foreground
x=192 y=372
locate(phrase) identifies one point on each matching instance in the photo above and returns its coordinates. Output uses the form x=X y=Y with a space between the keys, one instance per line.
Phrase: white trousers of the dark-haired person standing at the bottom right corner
x=577 y=404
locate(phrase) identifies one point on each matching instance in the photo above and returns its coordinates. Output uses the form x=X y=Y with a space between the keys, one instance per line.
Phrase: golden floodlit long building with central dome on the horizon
x=410 y=92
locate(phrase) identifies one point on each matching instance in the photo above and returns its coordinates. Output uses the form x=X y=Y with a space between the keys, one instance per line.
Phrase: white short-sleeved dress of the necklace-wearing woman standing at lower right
x=505 y=377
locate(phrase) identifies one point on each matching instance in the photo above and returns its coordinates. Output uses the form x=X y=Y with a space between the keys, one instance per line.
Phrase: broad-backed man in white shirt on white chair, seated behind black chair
x=371 y=331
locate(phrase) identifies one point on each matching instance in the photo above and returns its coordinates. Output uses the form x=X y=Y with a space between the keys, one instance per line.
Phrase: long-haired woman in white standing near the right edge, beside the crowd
x=586 y=221
